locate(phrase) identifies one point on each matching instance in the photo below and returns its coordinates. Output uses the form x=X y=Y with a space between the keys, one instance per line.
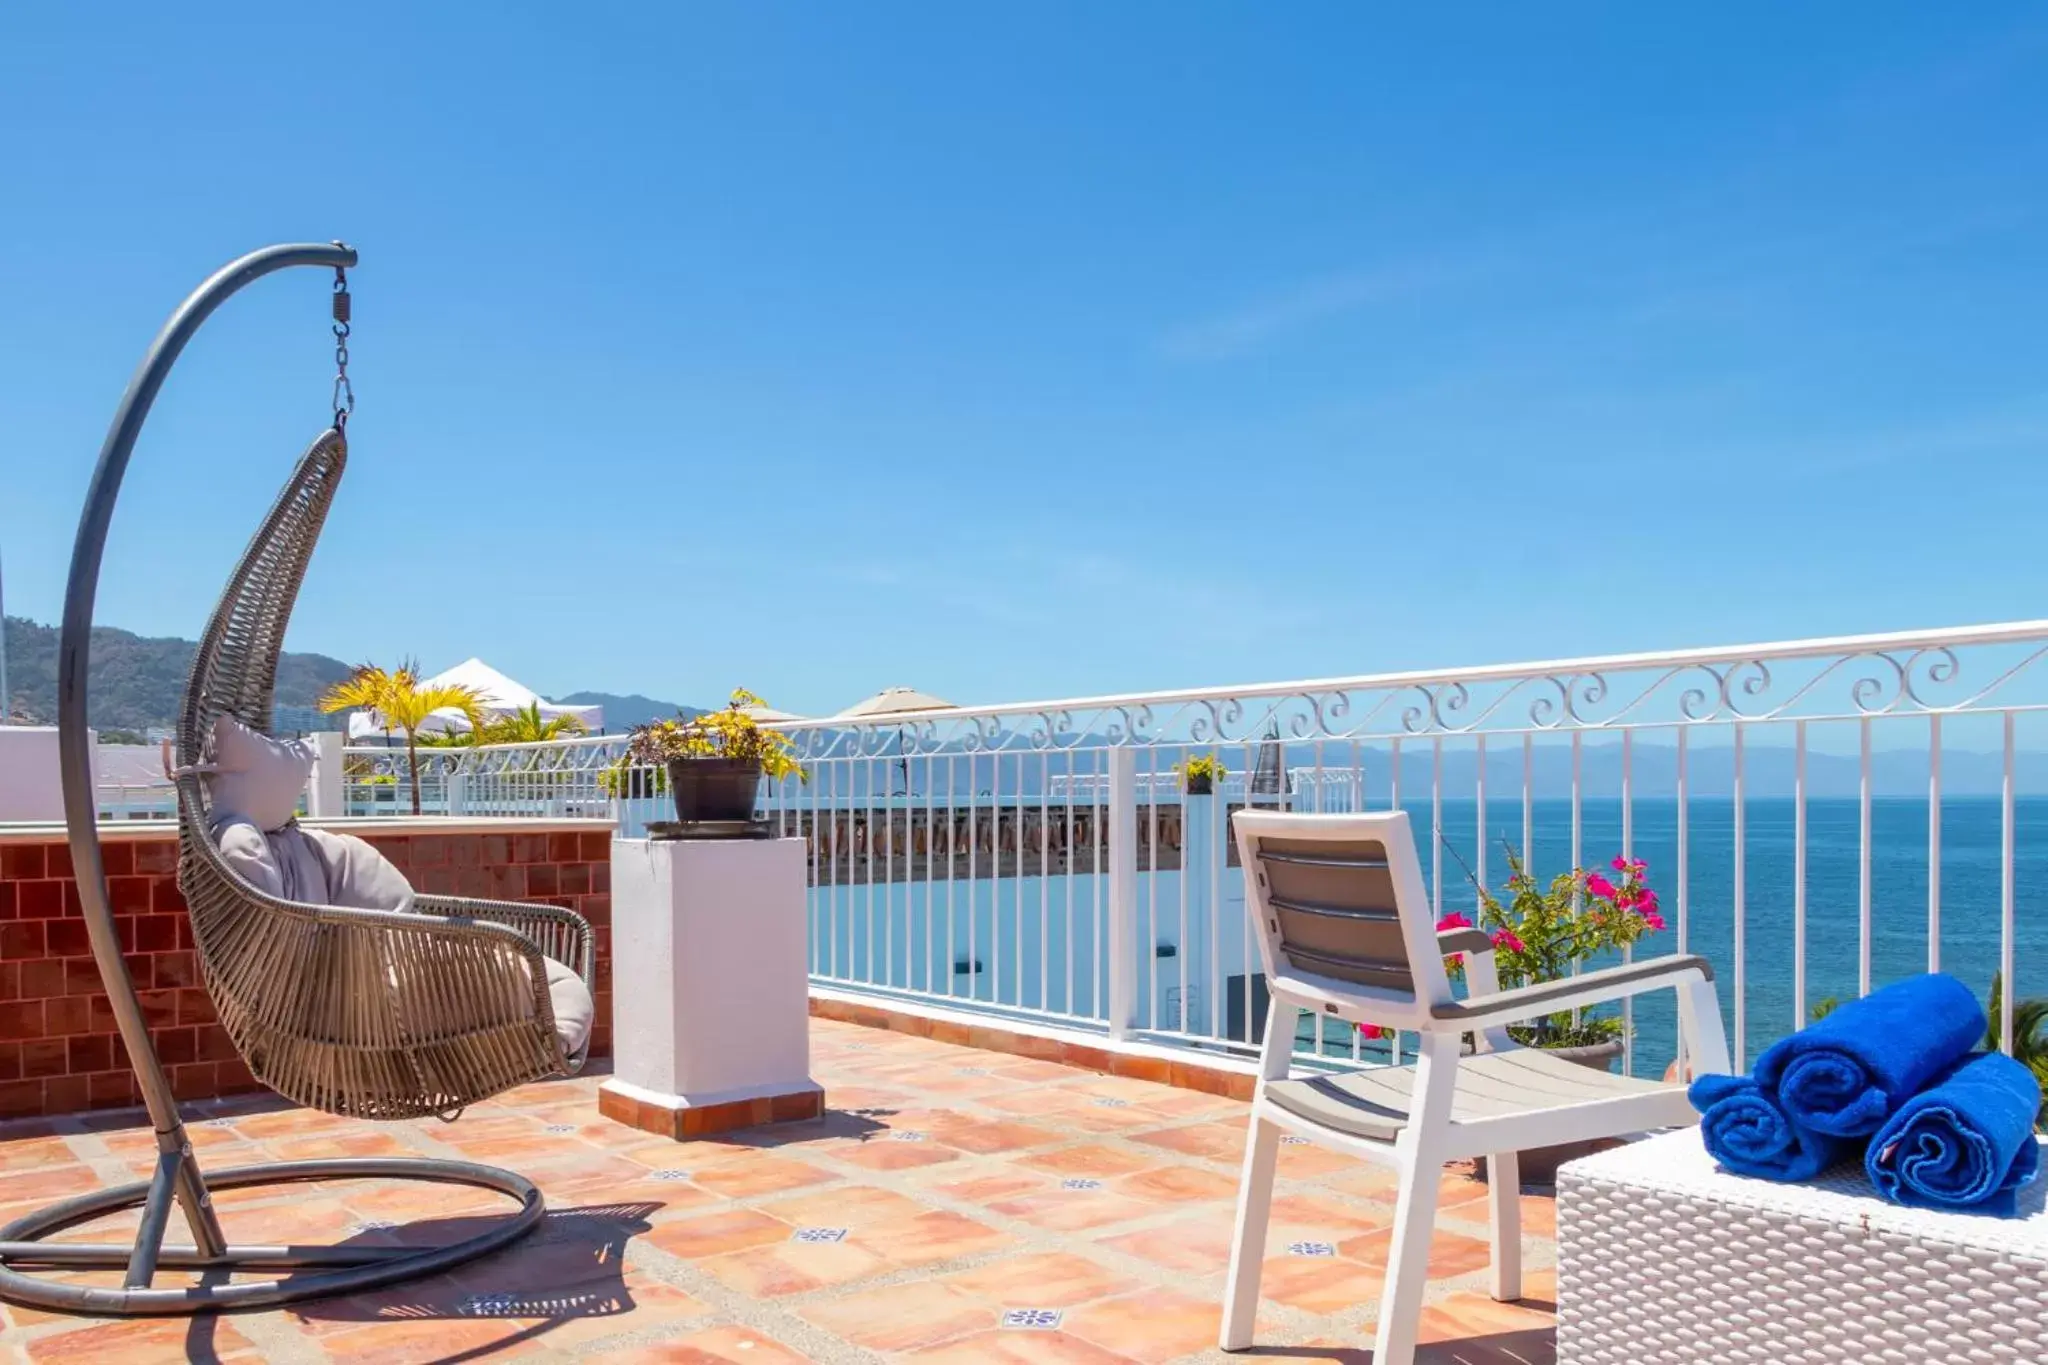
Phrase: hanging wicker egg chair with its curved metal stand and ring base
x=364 y=1014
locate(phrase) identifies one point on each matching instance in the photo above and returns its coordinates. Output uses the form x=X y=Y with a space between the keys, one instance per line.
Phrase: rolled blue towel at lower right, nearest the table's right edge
x=1967 y=1143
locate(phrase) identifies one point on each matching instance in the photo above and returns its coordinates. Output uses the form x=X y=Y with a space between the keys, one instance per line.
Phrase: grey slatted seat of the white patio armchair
x=1375 y=1104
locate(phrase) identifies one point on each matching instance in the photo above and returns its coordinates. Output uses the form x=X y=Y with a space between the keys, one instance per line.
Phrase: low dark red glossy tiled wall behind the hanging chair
x=58 y=1045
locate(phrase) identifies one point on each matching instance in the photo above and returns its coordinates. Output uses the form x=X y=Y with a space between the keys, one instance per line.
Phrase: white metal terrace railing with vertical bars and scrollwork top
x=1820 y=816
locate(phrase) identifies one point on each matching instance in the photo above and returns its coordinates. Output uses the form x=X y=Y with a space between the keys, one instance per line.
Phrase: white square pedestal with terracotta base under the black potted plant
x=712 y=1008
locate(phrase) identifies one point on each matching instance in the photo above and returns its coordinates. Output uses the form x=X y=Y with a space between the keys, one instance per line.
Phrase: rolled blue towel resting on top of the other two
x=1850 y=1071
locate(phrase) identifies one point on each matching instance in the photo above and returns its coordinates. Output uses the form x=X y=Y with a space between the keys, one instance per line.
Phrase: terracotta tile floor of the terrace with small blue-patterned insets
x=943 y=1196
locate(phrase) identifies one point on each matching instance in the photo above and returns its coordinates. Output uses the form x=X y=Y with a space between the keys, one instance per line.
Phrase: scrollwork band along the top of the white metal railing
x=1850 y=680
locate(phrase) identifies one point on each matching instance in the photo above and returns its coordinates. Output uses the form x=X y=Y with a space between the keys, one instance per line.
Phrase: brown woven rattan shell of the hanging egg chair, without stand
x=366 y=1014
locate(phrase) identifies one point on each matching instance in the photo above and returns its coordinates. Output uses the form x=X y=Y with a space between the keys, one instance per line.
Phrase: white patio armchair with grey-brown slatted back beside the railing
x=1347 y=932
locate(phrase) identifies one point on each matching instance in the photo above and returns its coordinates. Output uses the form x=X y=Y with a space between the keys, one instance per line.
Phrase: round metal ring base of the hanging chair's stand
x=329 y=1270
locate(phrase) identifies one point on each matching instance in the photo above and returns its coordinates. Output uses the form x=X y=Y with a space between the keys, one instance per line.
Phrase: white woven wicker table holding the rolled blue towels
x=1664 y=1258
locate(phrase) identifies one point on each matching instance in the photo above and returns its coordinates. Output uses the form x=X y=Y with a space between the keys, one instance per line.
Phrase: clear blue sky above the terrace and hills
x=1056 y=351
